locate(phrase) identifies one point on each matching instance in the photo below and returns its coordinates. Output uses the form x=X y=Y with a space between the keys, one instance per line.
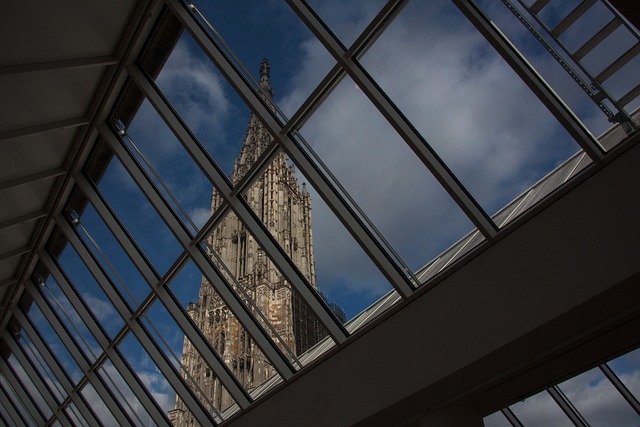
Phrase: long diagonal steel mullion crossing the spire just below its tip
x=372 y=246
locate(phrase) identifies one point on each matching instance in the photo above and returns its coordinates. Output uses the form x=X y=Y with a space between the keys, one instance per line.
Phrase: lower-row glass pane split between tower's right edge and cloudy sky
x=311 y=235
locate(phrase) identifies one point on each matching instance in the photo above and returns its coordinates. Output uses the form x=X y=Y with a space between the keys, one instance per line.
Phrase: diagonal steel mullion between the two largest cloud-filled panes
x=397 y=120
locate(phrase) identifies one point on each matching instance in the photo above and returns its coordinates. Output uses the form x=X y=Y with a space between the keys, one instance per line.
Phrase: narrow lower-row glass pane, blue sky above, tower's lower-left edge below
x=170 y=338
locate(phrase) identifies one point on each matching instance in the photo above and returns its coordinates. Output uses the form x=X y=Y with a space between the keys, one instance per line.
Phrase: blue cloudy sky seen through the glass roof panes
x=465 y=101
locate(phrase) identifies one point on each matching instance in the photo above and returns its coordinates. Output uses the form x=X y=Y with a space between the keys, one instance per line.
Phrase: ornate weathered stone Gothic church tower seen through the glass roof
x=284 y=206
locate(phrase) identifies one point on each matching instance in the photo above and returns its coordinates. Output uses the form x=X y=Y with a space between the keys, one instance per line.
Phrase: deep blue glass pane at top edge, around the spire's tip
x=272 y=30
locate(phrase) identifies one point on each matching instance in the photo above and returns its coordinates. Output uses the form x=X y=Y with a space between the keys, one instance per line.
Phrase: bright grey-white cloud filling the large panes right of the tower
x=466 y=102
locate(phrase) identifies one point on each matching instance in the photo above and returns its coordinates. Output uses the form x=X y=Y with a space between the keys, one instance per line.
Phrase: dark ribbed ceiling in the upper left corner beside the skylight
x=57 y=68
